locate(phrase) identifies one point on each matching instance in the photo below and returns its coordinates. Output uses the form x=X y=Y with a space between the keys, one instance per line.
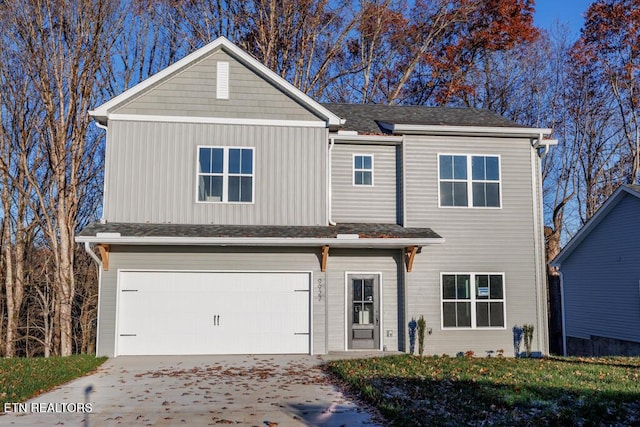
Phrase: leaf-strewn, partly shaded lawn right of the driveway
x=410 y=390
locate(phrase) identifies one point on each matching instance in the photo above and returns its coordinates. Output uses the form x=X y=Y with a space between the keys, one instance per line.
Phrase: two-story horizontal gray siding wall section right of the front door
x=478 y=240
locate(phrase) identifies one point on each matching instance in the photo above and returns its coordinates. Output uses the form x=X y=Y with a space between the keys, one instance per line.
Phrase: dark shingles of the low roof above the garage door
x=215 y=230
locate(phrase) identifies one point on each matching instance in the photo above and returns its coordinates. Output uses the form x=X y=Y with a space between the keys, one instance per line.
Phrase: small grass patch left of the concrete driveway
x=24 y=378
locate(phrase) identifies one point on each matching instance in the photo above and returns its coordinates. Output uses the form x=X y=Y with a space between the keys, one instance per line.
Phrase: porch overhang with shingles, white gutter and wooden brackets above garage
x=353 y=236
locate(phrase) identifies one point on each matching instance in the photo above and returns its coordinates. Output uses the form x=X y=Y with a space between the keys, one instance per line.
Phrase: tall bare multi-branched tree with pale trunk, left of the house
x=62 y=46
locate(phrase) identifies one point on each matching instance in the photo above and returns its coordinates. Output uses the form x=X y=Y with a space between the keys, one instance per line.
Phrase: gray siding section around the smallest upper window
x=360 y=203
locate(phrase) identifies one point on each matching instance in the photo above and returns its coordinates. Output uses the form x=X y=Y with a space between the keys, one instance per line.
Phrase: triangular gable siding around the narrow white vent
x=192 y=93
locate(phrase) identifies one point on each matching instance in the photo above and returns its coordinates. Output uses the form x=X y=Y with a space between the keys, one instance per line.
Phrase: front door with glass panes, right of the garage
x=363 y=323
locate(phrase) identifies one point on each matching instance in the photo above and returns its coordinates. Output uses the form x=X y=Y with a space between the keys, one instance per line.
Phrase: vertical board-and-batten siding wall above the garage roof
x=151 y=174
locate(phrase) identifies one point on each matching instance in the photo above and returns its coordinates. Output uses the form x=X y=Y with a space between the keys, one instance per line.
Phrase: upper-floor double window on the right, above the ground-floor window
x=469 y=181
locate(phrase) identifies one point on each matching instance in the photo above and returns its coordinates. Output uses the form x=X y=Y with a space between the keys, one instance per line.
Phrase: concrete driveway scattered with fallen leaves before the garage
x=199 y=390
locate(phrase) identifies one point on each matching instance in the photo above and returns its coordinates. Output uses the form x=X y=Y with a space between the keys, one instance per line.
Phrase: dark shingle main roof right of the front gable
x=364 y=118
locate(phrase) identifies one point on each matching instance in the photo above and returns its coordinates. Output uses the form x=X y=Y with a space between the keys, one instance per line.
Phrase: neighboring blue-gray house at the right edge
x=600 y=277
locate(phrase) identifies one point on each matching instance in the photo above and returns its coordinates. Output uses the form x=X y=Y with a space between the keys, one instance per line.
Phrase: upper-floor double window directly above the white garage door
x=225 y=174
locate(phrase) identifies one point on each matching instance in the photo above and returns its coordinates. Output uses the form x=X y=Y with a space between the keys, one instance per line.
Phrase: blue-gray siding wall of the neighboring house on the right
x=601 y=278
